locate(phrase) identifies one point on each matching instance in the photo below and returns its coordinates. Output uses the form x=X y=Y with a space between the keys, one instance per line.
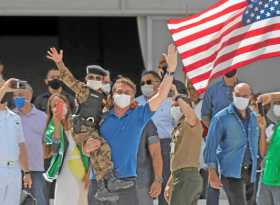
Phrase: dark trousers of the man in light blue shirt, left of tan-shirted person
x=165 y=151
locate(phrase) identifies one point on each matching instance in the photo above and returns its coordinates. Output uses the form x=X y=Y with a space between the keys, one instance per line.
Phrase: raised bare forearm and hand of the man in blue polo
x=171 y=59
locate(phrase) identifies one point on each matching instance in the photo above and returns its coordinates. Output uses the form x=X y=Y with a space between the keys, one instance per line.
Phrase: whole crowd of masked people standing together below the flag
x=100 y=144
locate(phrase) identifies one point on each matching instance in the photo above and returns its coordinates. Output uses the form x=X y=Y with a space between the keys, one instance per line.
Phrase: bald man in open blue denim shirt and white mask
x=235 y=131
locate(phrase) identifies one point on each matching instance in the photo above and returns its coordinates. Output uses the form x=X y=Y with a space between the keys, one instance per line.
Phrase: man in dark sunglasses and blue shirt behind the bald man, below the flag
x=217 y=97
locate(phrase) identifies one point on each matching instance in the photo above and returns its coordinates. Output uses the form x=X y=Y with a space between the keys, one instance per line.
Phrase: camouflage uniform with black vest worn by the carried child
x=89 y=120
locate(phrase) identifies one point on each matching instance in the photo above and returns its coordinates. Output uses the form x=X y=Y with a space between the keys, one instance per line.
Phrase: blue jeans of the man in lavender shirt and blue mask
x=38 y=189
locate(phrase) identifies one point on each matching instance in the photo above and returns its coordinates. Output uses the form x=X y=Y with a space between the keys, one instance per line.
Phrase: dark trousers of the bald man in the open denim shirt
x=240 y=191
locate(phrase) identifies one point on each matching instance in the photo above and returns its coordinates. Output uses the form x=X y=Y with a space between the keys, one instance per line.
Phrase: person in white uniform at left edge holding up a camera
x=13 y=152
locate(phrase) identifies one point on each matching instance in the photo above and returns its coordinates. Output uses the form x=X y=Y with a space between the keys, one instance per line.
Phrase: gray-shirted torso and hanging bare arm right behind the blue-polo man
x=149 y=166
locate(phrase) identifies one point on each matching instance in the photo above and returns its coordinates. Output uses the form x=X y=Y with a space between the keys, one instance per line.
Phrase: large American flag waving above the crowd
x=228 y=35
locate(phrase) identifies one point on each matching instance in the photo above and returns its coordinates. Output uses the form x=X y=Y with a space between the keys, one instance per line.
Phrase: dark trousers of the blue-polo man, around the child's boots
x=127 y=197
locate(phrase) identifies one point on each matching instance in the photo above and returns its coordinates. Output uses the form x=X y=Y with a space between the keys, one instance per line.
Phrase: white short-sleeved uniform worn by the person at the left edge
x=10 y=172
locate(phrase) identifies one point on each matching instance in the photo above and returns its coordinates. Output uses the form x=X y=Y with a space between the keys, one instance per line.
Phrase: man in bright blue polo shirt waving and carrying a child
x=122 y=127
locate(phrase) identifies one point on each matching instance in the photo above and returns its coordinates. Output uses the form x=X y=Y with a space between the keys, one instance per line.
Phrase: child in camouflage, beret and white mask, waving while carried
x=86 y=120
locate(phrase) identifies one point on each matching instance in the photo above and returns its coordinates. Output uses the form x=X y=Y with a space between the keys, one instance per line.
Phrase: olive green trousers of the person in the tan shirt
x=187 y=186
